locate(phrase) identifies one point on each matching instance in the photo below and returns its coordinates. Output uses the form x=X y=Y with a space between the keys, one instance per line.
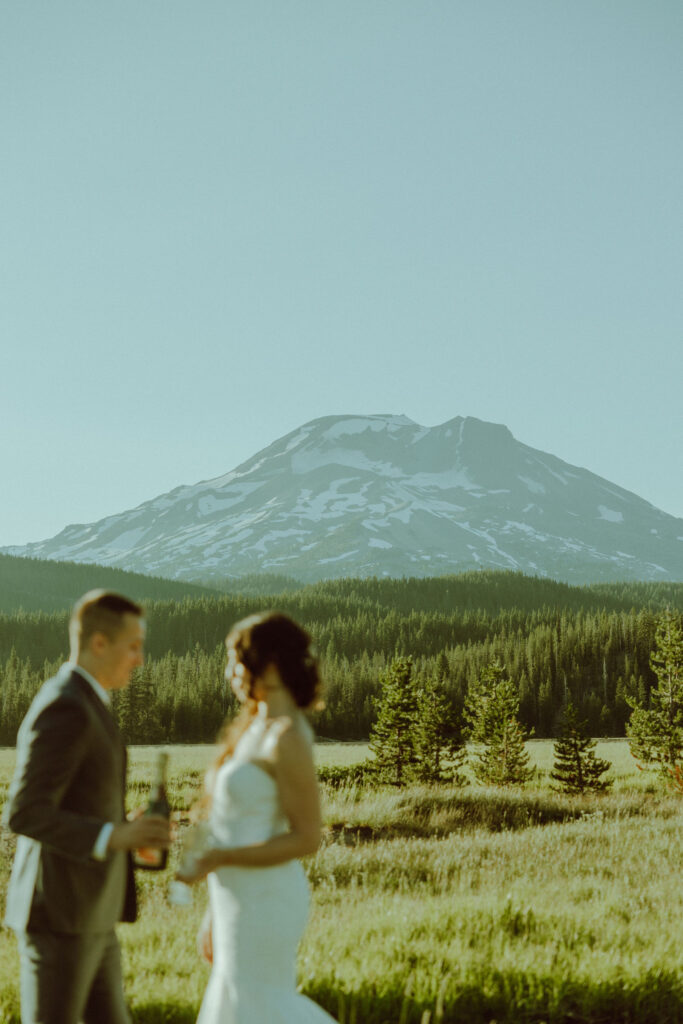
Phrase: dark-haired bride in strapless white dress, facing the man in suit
x=265 y=816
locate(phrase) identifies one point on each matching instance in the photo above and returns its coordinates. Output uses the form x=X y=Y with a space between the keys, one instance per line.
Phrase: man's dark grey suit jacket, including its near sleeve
x=70 y=781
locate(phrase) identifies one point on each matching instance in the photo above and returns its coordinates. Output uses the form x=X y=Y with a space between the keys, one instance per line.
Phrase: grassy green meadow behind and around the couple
x=445 y=905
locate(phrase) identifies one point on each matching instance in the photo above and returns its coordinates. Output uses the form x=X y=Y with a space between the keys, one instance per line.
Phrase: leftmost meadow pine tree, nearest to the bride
x=393 y=739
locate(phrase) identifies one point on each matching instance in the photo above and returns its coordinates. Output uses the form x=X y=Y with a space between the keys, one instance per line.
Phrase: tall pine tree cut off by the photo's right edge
x=656 y=734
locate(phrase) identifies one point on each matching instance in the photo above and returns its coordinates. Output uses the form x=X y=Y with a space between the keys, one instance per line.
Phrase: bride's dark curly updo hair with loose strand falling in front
x=272 y=638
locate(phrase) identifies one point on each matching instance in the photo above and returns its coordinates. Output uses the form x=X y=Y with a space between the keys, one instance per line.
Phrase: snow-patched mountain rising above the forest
x=382 y=496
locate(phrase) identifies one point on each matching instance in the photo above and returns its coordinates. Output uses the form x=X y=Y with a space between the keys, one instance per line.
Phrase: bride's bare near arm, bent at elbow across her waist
x=295 y=776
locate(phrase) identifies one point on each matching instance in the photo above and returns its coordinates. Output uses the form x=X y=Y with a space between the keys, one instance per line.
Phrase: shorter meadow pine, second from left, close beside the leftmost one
x=439 y=737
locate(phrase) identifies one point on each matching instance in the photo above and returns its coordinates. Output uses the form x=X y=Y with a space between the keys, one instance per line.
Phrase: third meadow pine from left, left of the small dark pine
x=492 y=711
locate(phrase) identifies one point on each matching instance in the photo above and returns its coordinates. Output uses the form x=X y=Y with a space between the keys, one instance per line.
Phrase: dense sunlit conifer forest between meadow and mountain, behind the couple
x=558 y=643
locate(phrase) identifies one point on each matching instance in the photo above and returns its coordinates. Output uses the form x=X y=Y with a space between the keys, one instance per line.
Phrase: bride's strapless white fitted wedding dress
x=259 y=914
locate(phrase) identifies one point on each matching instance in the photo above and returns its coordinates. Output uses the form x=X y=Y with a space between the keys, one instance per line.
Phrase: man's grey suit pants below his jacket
x=67 y=979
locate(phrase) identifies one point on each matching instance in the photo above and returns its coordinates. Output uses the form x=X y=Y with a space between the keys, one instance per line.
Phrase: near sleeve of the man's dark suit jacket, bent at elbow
x=49 y=757
